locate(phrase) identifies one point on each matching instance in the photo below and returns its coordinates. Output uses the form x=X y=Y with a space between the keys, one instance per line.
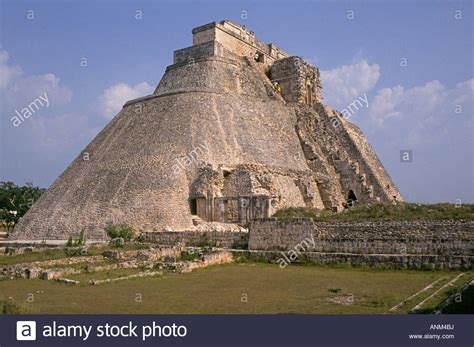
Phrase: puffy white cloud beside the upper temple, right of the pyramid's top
x=344 y=84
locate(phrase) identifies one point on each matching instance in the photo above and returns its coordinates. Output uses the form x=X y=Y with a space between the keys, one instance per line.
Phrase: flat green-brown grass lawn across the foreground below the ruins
x=233 y=288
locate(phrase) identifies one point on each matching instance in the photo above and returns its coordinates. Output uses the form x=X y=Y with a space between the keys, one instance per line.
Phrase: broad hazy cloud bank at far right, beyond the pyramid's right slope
x=433 y=120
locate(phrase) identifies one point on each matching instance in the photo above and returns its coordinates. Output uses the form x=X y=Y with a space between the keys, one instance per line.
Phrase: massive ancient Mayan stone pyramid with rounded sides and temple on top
x=214 y=143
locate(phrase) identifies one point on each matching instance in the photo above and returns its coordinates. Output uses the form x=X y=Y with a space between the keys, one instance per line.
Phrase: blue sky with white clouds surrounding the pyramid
x=412 y=59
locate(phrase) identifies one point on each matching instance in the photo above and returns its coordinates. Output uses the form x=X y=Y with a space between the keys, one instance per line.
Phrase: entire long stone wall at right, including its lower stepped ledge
x=404 y=244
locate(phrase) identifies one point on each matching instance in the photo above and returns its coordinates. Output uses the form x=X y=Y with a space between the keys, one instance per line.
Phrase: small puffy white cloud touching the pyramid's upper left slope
x=113 y=98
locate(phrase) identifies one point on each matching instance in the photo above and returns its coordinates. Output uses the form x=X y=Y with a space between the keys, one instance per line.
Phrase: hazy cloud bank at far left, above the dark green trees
x=41 y=145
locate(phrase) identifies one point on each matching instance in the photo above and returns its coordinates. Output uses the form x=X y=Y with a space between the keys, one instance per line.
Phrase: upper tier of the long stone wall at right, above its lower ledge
x=382 y=237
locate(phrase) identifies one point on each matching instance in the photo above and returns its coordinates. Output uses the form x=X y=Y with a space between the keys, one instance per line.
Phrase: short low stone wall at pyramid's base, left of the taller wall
x=221 y=239
